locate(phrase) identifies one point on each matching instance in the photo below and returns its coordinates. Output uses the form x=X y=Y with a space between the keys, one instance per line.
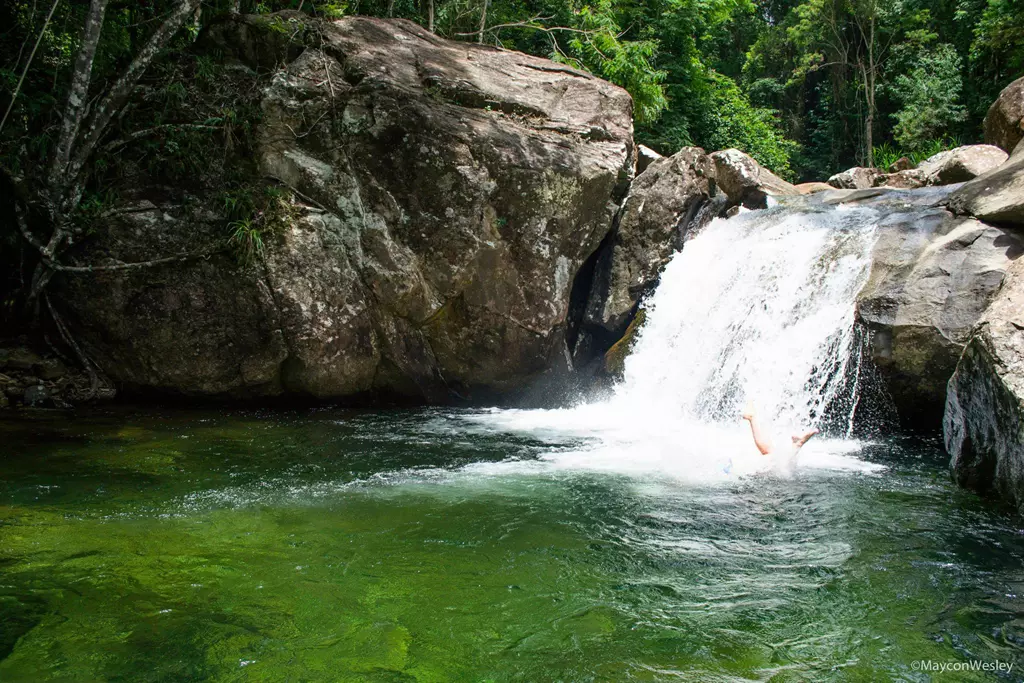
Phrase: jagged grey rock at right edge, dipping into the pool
x=984 y=426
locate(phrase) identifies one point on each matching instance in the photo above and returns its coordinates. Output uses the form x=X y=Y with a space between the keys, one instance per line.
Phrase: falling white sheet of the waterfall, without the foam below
x=757 y=309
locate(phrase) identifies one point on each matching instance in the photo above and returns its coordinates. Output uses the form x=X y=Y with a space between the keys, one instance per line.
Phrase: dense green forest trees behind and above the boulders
x=807 y=88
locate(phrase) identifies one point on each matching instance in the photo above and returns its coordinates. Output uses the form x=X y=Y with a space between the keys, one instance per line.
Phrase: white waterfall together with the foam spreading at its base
x=758 y=310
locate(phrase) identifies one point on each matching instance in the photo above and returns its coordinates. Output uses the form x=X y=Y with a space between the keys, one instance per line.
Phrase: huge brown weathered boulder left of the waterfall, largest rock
x=443 y=198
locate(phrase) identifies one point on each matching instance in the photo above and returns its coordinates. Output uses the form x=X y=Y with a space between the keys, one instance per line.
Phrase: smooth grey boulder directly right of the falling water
x=932 y=278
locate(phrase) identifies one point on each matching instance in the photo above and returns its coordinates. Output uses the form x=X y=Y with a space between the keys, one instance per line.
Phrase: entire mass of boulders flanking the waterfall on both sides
x=461 y=224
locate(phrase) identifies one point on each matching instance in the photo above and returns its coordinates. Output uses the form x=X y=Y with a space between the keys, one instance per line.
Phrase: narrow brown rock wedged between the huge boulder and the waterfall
x=664 y=203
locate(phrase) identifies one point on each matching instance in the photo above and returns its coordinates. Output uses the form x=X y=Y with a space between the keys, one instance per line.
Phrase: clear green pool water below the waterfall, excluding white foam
x=347 y=546
